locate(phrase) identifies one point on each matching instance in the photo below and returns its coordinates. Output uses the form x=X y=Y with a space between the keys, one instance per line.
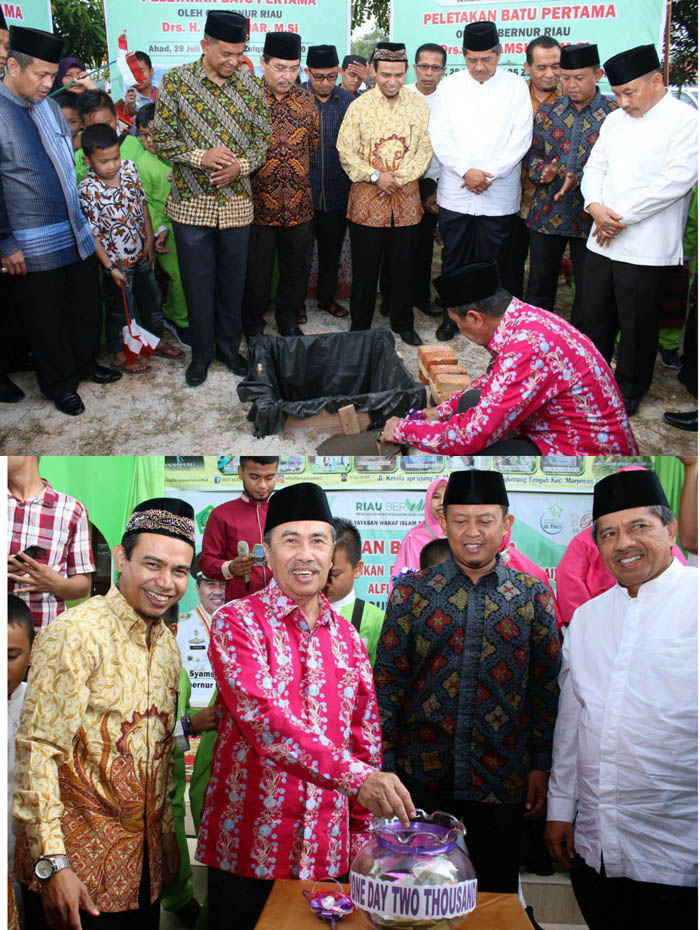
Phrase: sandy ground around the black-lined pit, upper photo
x=157 y=413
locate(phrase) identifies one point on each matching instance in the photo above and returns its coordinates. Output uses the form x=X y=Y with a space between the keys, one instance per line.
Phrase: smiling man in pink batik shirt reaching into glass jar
x=296 y=763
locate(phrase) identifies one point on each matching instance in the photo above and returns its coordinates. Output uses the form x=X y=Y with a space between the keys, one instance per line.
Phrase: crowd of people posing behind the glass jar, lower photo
x=323 y=710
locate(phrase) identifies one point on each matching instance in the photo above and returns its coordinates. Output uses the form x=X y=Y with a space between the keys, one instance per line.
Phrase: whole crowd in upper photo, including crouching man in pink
x=205 y=185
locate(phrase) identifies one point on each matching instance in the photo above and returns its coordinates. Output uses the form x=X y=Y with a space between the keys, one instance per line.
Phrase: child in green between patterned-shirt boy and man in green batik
x=156 y=173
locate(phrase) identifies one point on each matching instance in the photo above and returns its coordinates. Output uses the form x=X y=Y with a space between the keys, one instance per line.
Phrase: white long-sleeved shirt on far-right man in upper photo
x=644 y=168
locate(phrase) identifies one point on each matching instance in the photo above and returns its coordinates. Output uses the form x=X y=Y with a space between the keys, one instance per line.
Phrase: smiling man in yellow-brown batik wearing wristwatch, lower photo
x=93 y=773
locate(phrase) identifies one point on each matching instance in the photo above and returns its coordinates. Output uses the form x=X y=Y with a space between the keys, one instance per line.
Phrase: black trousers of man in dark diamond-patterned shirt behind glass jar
x=493 y=833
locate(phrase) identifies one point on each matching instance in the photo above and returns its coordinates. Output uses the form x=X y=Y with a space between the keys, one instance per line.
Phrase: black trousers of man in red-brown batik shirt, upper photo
x=293 y=245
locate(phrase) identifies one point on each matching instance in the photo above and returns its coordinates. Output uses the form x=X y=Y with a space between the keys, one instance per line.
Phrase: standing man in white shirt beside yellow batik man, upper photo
x=480 y=129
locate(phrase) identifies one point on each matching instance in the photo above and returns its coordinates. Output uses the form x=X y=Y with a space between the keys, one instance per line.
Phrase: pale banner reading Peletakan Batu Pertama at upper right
x=613 y=27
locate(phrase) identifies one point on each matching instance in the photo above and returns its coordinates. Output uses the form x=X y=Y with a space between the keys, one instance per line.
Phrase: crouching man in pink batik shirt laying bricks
x=548 y=391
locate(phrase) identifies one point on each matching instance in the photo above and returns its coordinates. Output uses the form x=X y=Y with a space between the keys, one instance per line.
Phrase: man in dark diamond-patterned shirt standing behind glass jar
x=466 y=673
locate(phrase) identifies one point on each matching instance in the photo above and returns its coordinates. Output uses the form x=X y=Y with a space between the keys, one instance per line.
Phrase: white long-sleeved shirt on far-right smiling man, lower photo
x=625 y=744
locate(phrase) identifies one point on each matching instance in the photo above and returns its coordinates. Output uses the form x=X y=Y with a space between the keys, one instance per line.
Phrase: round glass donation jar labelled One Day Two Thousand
x=415 y=878
